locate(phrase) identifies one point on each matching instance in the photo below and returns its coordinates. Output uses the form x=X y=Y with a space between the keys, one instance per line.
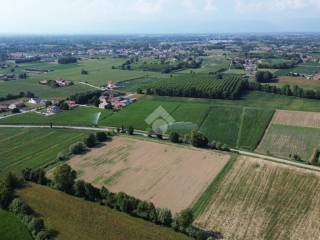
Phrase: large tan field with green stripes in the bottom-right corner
x=258 y=199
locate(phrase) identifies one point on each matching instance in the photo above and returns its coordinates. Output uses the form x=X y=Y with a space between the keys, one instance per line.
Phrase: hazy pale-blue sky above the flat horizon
x=157 y=16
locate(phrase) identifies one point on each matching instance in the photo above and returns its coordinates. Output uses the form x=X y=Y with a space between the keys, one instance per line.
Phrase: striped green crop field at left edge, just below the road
x=21 y=148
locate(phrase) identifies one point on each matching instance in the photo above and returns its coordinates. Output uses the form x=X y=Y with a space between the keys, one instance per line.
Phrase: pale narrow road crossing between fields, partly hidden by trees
x=143 y=133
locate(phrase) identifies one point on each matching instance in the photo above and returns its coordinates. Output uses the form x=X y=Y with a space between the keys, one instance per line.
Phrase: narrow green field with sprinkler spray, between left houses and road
x=81 y=116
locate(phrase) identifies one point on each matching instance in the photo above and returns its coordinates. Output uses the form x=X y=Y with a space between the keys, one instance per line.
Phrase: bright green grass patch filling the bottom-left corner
x=11 y=228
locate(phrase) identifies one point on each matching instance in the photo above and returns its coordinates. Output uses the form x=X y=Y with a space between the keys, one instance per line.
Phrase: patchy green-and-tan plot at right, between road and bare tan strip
x=282 y=140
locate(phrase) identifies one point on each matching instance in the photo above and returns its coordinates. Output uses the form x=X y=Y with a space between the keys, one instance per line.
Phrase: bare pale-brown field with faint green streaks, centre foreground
x=167 y=175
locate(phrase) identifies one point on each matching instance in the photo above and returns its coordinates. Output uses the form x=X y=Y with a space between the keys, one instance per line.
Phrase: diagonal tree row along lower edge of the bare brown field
x=64 y=179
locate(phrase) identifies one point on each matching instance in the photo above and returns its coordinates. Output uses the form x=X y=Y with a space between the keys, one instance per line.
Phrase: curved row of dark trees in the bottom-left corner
x=20 y=209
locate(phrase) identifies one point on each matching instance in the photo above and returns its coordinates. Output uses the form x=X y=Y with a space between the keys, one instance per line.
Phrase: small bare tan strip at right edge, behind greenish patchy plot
x=303 y=119
